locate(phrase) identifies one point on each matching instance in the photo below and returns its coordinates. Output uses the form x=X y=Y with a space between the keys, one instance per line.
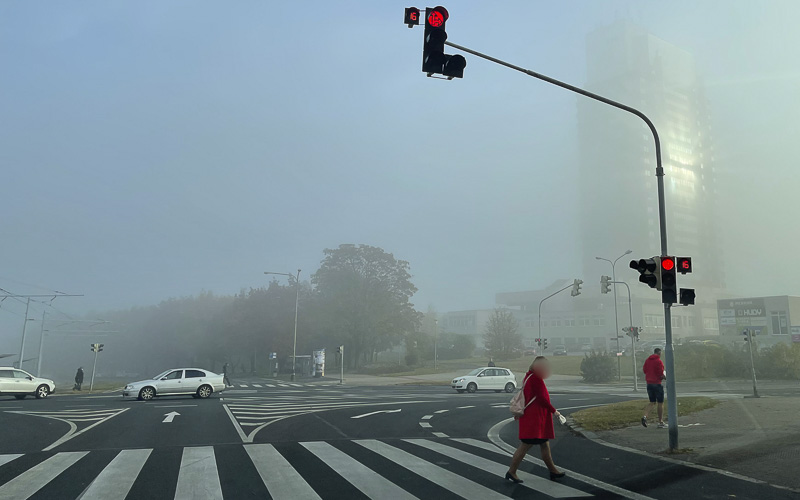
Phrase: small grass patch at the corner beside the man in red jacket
x=619 y=415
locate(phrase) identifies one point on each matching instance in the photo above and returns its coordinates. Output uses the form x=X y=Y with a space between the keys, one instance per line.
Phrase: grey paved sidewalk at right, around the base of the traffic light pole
x=758 y=438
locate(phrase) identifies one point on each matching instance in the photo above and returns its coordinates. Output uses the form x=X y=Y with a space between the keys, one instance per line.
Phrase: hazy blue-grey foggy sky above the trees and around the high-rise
x=155 y=149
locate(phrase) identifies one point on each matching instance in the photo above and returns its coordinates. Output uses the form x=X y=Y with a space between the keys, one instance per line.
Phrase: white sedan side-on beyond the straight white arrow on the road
x=194 y=382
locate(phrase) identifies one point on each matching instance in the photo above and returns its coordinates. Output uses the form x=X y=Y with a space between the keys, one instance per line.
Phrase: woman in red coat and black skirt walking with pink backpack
x=536 y=424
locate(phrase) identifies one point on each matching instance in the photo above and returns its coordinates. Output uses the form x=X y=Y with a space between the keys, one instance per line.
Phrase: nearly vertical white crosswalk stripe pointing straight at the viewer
x=198 y=476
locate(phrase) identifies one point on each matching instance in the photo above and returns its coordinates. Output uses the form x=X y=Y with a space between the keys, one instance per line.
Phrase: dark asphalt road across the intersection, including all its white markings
x=319 y=440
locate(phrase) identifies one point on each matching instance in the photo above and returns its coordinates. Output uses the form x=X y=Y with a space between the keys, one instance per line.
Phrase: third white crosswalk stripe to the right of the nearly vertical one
x=438 y=475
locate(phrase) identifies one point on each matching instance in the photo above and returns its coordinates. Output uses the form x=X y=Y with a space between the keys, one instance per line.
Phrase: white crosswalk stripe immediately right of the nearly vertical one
x=278 y=475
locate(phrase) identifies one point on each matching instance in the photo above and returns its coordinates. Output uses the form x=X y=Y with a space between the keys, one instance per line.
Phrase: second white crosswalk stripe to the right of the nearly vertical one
x=359 y=475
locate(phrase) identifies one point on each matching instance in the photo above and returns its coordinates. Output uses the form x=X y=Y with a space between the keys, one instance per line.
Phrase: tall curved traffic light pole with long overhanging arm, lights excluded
x=672 y=405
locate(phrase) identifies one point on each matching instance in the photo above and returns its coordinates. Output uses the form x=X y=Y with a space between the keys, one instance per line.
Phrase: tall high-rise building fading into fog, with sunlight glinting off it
x=619 y=204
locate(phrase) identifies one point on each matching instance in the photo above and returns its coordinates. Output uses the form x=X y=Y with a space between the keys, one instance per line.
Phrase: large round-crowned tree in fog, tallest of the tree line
x=363 y=295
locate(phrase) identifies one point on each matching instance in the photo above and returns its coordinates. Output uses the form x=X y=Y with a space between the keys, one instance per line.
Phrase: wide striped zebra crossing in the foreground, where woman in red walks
x=343 y=469
